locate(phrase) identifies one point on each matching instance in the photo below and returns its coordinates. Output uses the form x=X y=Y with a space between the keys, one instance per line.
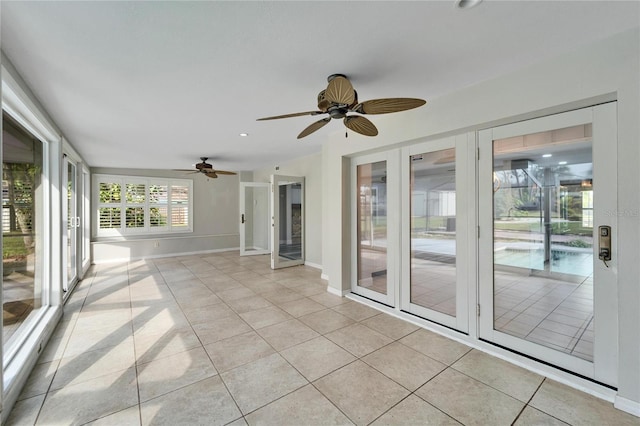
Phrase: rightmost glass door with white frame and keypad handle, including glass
x=546 y=192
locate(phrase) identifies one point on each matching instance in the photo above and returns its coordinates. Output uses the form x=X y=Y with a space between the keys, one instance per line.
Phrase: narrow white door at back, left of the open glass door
x=255 y=220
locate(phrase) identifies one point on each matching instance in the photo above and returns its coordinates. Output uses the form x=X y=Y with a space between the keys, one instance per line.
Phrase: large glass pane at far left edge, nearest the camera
x=23 y=223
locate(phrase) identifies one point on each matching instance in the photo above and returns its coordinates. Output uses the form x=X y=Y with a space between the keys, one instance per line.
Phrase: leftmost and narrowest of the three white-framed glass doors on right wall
x=375 y=227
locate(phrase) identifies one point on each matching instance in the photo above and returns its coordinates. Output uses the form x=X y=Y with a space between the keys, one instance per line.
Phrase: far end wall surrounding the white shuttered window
x=215 y=221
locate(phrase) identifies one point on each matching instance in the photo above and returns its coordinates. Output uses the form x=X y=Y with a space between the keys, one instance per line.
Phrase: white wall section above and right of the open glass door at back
x=311 y=168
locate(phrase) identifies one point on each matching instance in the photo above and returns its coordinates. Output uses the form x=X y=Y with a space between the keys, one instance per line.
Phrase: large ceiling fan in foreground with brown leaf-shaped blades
x=339 y=98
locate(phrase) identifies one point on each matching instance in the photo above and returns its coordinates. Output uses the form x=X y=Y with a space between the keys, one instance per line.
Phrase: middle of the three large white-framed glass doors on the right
x=435 y=230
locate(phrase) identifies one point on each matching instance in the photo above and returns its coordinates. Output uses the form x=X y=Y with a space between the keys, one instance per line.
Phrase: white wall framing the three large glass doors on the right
x=603 y=71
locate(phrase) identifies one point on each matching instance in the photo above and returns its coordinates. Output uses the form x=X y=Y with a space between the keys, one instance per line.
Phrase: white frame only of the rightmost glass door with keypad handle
x=603 y=117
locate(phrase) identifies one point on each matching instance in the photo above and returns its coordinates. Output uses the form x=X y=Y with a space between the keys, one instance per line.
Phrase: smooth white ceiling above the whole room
x=159 y=84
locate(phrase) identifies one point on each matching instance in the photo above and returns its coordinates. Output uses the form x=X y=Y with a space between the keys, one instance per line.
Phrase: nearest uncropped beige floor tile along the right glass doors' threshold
x=501 y=375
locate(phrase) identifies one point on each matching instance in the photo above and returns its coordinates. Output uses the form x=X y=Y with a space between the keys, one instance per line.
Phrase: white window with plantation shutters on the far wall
x=137 y=205
